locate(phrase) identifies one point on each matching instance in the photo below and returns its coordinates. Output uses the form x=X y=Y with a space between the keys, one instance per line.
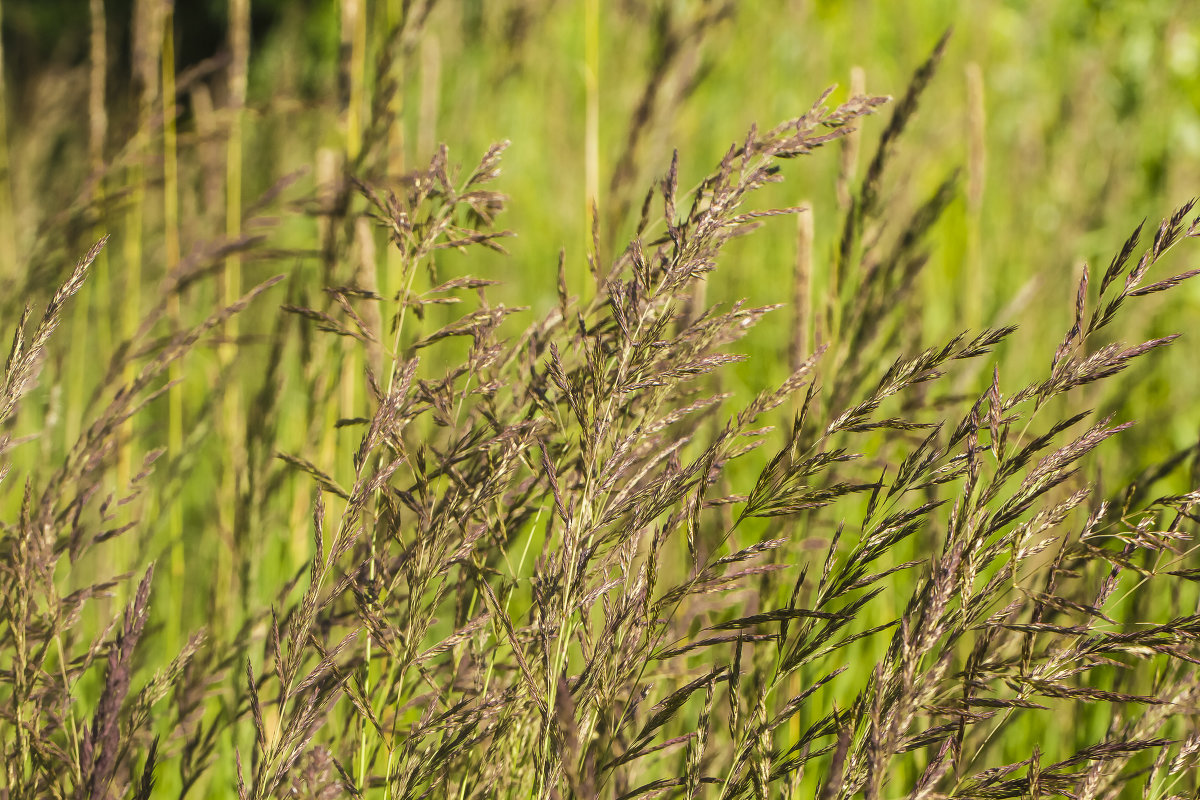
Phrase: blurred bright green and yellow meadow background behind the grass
x=1070 y=123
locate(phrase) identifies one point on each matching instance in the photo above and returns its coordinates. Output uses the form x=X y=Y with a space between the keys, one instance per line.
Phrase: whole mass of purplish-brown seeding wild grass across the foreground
x=562 y=562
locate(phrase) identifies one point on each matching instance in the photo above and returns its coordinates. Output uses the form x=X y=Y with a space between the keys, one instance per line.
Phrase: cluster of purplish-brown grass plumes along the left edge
x=51 y=654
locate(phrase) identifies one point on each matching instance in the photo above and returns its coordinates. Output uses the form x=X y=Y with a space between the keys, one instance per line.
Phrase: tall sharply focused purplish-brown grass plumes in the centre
x=454 y=488
